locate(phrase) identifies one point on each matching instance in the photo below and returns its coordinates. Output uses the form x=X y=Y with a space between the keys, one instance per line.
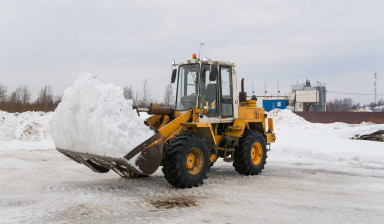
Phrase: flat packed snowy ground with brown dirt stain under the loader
x=43 y=186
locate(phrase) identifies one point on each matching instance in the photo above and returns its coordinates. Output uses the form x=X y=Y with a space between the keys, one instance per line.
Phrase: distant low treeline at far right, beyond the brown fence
x=347 y=104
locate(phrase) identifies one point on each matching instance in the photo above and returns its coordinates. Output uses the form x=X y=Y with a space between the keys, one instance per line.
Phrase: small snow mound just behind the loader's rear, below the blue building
x=286 y=118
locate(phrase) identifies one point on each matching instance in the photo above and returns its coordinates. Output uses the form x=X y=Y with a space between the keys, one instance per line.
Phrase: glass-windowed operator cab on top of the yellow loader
x=208 y=85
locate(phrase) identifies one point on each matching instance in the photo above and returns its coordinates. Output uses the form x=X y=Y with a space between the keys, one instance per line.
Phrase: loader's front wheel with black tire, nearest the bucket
x=175 y=165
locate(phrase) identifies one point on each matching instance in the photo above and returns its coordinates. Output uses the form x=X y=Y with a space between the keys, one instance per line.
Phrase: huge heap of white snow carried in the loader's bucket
x=94 y=117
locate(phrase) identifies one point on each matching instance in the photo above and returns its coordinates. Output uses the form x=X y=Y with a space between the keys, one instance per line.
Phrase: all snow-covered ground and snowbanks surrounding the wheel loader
x=315 y=173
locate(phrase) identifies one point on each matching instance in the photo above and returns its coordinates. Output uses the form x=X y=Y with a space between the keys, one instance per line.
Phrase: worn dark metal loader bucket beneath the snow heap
x=149 y=158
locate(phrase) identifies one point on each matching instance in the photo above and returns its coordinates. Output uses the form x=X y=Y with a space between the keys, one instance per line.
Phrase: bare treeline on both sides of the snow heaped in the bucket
x=20 y=99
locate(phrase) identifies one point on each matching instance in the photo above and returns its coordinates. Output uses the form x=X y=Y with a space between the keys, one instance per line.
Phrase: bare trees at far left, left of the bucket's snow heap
x=19 y=100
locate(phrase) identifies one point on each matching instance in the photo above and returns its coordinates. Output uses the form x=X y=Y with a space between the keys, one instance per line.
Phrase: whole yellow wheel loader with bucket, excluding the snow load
x=210 y=120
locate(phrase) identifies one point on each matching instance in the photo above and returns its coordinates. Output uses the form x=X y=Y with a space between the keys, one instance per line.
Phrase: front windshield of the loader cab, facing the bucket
x=187 y=86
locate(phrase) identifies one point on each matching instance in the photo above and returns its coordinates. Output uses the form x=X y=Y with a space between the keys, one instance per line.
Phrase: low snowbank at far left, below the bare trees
x=27 y=126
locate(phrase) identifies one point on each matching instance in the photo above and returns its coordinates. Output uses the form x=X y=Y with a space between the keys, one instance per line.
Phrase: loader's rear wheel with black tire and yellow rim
x=243 y=161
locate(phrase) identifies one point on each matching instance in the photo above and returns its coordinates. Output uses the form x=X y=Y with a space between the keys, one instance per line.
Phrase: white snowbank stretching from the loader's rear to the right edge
x=299 y=141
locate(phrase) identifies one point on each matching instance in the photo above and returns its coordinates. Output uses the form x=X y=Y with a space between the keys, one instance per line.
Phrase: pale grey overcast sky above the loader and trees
x=125 y=42
